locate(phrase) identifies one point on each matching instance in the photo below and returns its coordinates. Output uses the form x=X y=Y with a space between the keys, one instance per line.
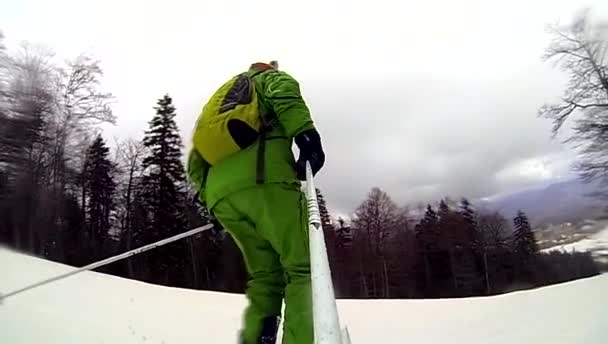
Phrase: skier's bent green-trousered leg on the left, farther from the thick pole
x=265 y=285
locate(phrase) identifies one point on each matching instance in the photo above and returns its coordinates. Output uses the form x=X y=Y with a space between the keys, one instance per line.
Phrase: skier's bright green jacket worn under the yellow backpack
x=279 y=94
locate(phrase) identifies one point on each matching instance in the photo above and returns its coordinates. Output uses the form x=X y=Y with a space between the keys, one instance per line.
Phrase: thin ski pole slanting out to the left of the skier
x=109 y=260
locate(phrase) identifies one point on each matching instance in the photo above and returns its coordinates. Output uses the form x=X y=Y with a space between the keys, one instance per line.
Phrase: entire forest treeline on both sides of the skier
x=66 y=195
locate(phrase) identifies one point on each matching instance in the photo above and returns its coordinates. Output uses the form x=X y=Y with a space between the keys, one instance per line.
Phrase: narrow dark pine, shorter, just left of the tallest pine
x=99 y=186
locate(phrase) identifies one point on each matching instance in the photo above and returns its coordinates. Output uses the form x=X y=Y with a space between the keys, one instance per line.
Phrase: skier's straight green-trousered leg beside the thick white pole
x=285 y=224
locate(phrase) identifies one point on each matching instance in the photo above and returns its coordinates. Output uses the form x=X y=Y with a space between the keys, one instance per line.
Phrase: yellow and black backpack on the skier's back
x=230 y=121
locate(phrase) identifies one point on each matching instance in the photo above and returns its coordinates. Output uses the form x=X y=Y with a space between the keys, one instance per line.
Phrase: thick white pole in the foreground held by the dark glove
x=325 y=313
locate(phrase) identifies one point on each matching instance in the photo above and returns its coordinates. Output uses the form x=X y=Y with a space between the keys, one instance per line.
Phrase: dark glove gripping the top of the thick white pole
x=309 y=143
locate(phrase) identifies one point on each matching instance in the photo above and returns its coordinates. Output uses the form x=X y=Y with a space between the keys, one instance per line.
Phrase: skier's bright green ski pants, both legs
x=269 y=223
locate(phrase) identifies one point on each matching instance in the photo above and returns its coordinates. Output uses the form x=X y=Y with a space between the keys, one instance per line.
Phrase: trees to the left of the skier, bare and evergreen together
x=67 y=196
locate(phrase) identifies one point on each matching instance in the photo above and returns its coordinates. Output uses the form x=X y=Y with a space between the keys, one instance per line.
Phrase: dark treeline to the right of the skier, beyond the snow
x=449 y=251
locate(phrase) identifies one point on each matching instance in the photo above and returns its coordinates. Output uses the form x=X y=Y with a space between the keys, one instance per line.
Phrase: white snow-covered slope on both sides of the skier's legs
x=96 y=308
